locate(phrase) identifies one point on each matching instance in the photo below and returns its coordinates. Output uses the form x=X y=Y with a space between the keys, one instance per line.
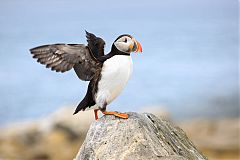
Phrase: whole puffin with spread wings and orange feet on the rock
x=108 y=74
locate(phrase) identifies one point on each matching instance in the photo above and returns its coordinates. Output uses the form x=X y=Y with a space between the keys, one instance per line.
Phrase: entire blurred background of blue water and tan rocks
x=188 y=71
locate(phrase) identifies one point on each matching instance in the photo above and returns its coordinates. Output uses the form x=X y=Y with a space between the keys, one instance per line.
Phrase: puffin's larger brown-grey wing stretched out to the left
x=63 y=57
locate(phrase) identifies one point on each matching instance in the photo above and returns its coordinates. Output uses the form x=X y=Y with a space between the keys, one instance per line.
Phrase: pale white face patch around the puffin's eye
x=123 y=44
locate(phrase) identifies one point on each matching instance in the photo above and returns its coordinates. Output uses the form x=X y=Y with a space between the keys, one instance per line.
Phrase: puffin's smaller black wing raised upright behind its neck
x=96 y=44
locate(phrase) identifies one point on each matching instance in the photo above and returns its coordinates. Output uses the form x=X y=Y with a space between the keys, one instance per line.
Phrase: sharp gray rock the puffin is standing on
x=142 y=136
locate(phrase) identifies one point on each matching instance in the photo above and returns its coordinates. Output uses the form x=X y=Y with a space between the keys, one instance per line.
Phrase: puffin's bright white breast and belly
x=116 y=72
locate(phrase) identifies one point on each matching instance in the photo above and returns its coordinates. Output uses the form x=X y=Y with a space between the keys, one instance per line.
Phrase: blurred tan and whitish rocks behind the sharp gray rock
x=60 y=135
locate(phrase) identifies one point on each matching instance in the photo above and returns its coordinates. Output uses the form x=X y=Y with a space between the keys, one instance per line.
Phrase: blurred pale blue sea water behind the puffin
x=189 y=63
